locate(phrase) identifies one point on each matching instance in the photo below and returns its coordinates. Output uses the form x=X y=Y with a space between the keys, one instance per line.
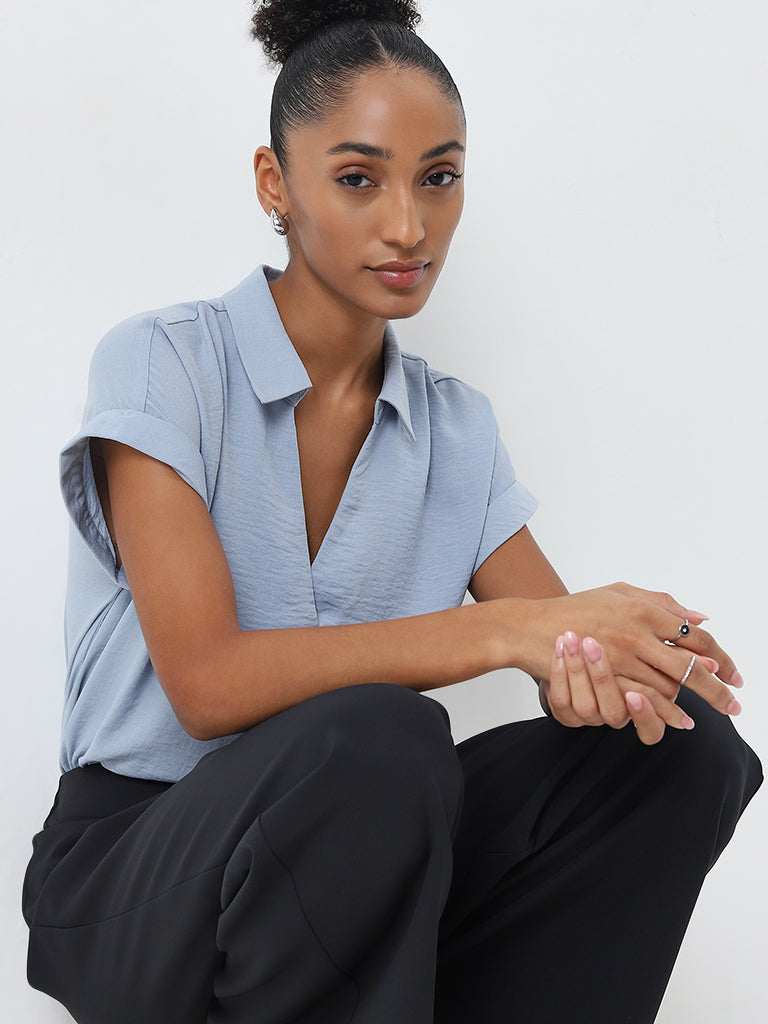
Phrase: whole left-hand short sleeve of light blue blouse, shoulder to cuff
x=140 y=394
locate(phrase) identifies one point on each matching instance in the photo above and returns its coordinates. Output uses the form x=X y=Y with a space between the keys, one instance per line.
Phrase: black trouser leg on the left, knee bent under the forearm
x=140 y=894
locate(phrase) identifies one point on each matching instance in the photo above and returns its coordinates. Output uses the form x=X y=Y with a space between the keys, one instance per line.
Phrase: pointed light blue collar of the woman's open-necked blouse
x=272 y=363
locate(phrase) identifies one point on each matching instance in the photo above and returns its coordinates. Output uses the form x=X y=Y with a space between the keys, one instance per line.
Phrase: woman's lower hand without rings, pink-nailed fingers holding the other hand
x=583 y=691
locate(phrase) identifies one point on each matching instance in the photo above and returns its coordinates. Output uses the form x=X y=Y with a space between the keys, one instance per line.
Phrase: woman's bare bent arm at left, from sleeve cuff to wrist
x=222 y=679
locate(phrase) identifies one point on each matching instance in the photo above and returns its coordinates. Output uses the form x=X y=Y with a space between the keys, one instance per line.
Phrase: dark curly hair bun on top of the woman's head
x=281 y=25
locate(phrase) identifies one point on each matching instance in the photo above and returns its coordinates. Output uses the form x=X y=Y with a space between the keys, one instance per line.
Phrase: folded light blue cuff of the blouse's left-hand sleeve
x=156 y=438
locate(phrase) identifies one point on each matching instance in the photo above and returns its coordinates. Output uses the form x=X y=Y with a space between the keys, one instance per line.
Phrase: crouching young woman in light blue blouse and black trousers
x=262 y=818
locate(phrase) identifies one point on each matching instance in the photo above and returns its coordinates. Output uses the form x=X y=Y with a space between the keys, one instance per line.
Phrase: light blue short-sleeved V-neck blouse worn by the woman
x=210 y=389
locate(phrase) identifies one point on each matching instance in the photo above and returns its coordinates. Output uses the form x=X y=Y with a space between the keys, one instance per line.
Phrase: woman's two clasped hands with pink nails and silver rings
x=630 y=667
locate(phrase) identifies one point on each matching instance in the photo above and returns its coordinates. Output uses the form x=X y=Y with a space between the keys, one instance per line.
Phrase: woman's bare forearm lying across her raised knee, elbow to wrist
x=239 y=678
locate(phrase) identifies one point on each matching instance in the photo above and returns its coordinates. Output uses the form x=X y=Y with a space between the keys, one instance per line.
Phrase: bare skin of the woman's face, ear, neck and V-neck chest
x=349 y=212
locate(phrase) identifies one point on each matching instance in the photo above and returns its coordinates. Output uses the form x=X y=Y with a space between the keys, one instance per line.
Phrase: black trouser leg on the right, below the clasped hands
x=581 y=851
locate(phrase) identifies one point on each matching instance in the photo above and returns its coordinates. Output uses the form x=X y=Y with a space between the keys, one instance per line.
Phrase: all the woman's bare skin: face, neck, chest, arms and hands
x=351 y=210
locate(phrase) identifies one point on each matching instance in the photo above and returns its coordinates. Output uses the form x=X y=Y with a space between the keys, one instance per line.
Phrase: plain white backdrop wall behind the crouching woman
x=607 y=288
